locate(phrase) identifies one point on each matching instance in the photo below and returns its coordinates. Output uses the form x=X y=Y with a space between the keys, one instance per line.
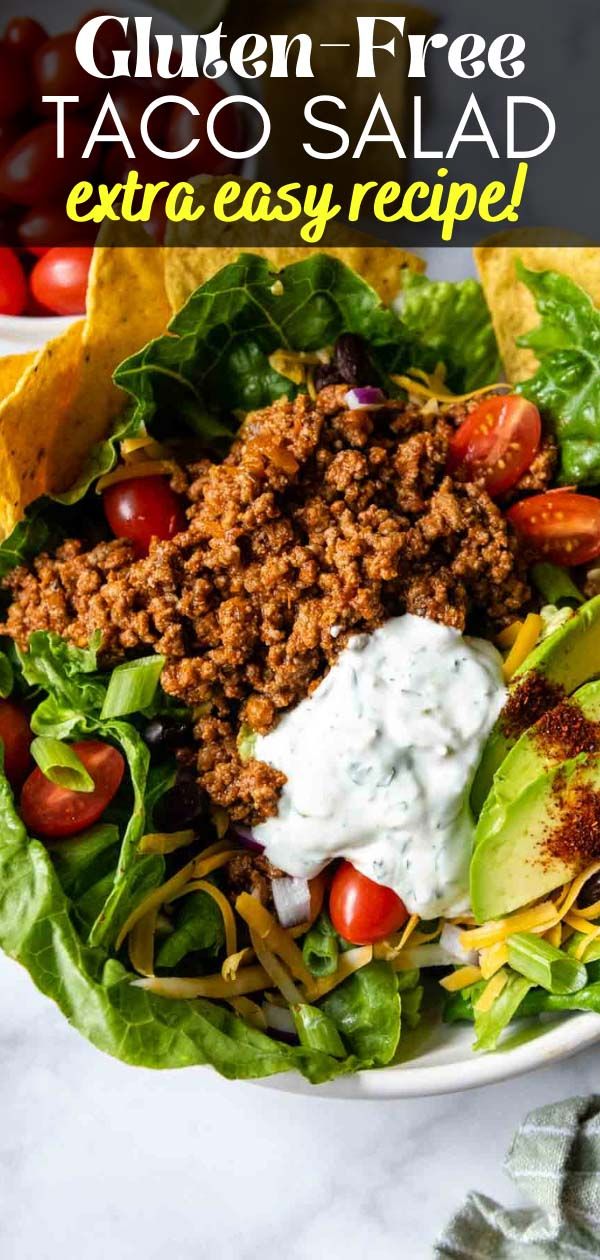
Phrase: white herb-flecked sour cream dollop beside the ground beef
x=380 y=762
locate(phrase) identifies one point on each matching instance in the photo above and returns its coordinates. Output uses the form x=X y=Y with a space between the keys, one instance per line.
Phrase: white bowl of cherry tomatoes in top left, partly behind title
x=45 y=259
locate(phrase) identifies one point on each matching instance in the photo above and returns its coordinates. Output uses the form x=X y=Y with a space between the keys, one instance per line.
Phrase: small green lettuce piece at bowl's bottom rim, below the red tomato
x=366 y=1011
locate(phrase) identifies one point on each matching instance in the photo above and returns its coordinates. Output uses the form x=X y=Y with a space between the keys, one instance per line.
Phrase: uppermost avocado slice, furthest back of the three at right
x=564 y=662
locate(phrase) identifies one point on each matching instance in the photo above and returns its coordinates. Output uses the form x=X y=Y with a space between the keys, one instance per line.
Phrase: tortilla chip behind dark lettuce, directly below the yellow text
x=190 y=263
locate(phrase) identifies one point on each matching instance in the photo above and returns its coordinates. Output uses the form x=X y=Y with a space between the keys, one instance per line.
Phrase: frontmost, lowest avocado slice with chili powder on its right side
x=519 y=859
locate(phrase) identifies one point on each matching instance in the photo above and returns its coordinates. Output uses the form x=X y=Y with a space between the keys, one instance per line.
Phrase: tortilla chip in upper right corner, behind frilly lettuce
x=512 y=306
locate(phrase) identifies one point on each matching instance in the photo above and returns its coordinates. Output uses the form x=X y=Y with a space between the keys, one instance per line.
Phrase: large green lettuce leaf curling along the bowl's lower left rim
x=96 y=995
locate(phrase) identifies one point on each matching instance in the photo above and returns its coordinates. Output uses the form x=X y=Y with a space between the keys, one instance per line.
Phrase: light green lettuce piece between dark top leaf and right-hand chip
x=451 y=324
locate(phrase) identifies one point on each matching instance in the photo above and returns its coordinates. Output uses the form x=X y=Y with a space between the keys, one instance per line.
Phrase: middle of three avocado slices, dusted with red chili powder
x=543 y=748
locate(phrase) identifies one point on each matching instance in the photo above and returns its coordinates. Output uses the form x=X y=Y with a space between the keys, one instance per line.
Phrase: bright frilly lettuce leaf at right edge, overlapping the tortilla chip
x=567 y=386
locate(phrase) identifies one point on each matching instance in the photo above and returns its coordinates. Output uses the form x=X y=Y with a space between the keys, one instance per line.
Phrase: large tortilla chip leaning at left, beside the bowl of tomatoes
x=66 y=400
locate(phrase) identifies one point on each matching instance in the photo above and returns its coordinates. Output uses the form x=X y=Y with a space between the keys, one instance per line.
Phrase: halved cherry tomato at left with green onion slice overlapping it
x=54 y=812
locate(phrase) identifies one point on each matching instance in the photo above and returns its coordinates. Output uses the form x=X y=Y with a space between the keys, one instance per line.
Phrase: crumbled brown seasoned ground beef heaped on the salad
x=321 y=522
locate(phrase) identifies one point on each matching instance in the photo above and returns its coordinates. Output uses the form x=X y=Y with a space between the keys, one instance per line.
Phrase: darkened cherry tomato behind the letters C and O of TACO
x=185 y=127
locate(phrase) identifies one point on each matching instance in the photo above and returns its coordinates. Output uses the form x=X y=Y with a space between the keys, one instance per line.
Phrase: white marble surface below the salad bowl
x=99 y=1160
